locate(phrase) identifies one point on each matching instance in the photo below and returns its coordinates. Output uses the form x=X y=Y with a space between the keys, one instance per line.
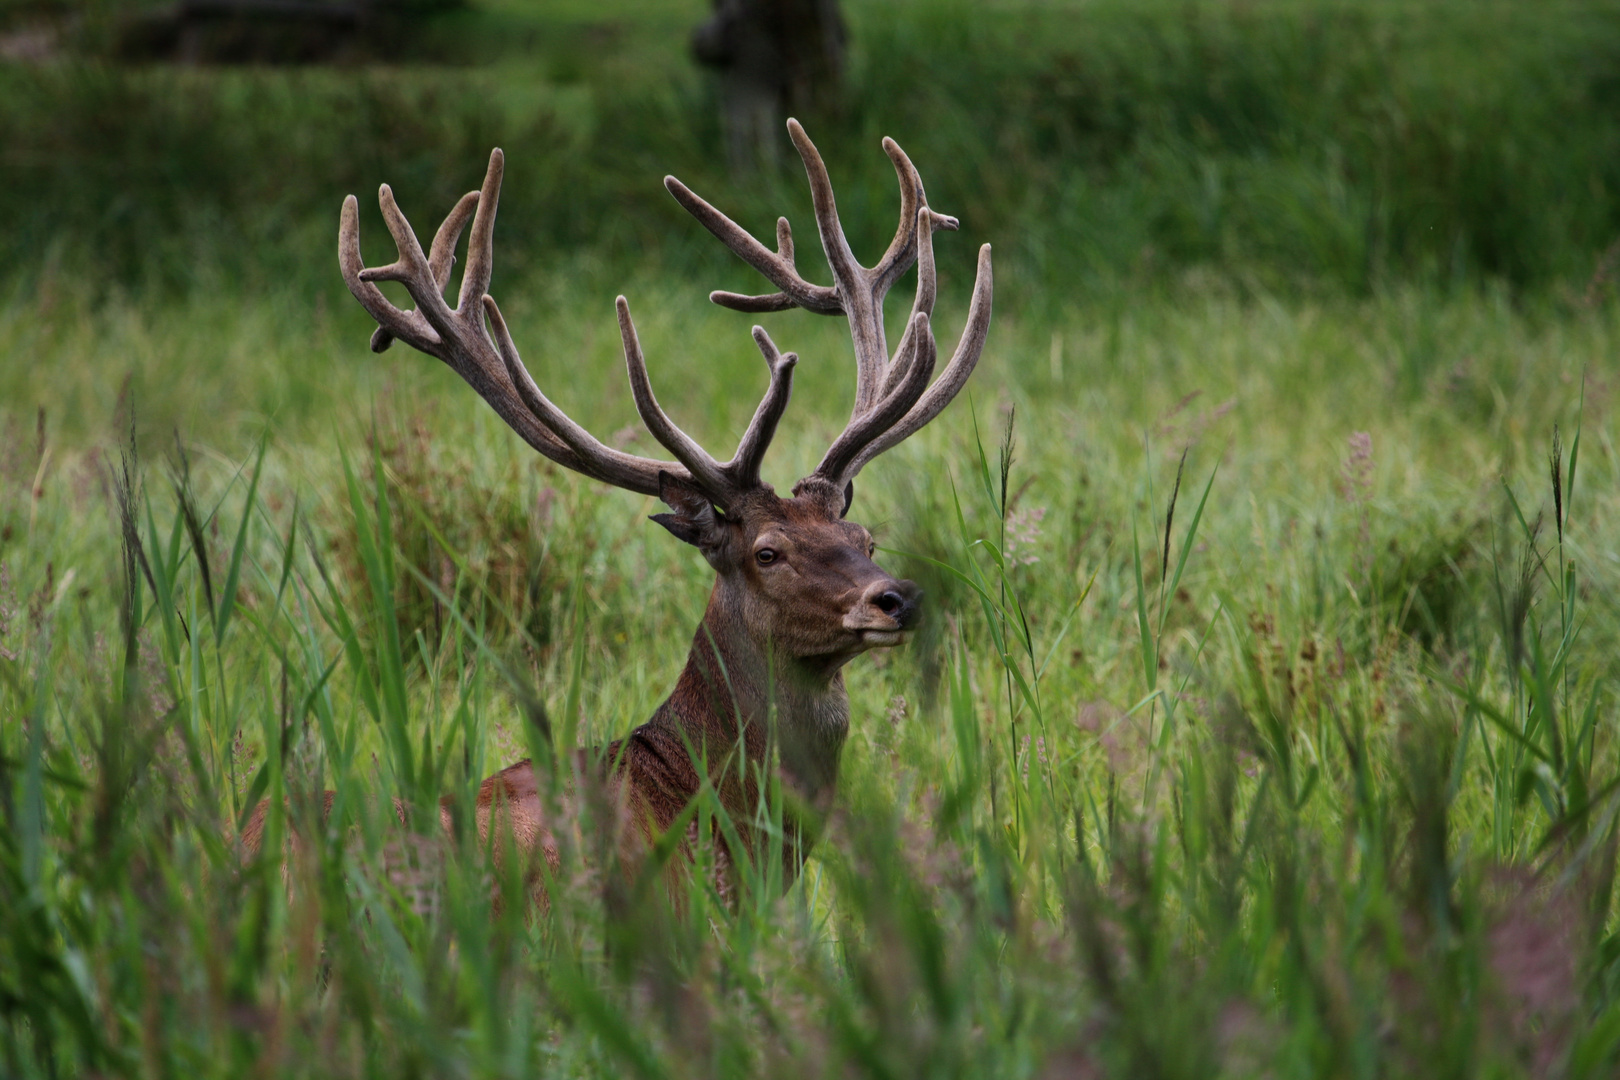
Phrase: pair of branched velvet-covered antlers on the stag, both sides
x=893 y=394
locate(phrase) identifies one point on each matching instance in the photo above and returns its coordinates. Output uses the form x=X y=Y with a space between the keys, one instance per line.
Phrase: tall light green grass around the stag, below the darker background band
x=1303 y=765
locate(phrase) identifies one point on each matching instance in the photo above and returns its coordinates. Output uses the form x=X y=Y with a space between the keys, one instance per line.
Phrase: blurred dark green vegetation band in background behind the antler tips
x=1279 y=147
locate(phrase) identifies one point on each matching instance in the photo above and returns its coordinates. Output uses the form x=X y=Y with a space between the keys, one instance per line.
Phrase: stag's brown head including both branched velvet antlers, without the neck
x=795 y=576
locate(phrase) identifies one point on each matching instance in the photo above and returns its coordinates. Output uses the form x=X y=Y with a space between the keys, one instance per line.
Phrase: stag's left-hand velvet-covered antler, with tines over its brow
x=493 y=368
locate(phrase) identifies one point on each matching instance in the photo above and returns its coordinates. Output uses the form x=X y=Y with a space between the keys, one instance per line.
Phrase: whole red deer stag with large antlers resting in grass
x=796 y=592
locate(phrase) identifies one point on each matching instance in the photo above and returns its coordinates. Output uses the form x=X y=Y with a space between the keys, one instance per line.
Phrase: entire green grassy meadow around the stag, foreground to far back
x=1264 y=716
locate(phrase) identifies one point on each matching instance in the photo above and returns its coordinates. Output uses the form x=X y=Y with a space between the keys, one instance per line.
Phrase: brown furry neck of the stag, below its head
x=738 y=692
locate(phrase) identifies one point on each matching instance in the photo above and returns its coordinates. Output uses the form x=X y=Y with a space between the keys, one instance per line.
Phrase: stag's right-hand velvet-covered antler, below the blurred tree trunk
x=893 y=398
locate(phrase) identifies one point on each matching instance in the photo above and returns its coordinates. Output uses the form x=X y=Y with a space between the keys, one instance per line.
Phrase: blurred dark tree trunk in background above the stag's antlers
x=775 y=57
